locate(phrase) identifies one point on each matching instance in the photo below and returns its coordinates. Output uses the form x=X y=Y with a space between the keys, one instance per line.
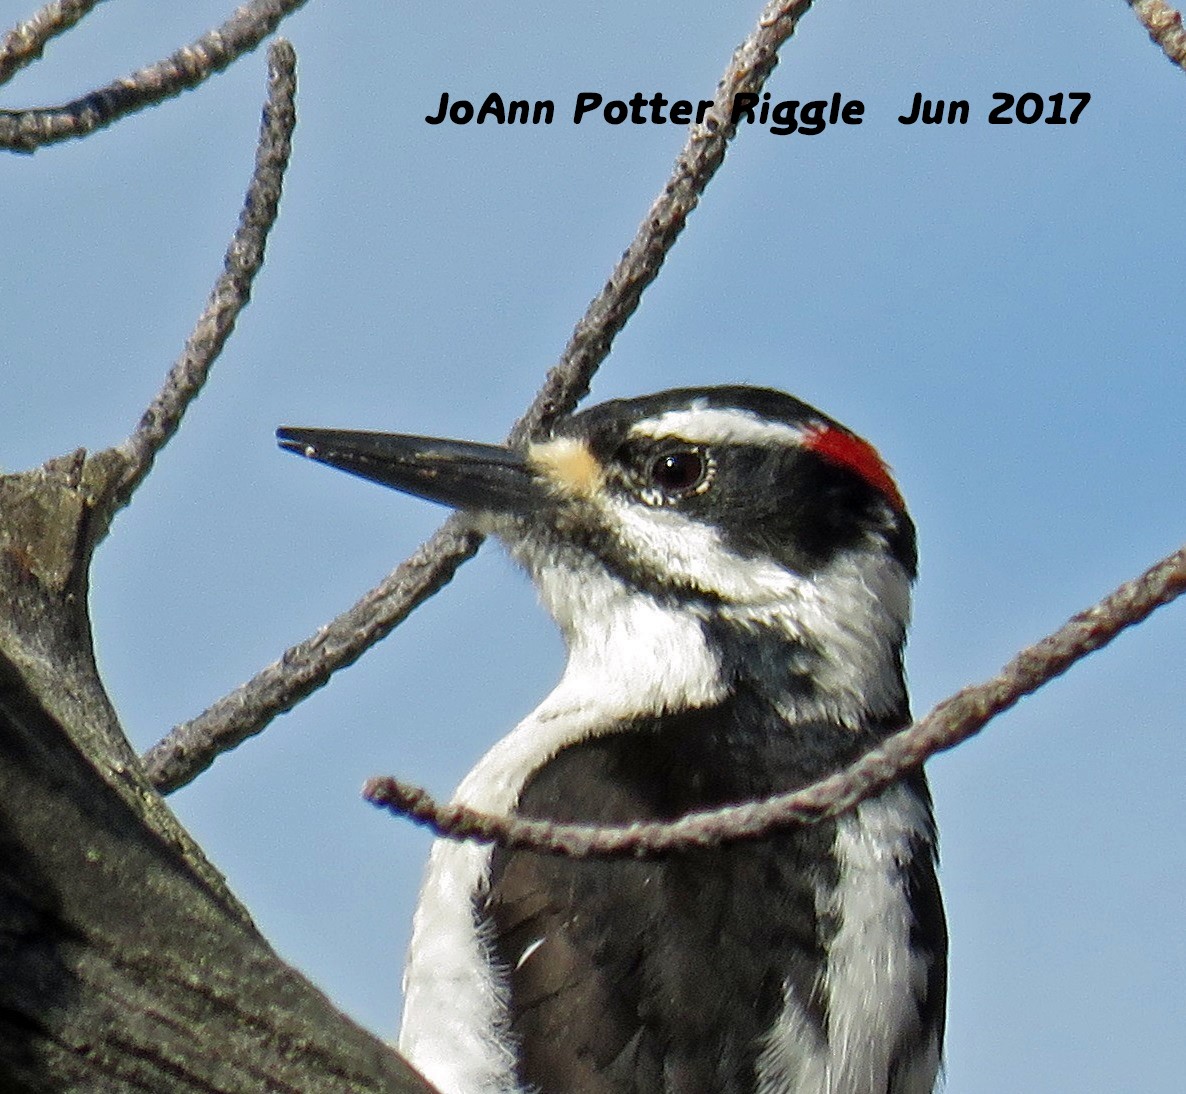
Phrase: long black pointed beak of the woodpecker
x=454 y=473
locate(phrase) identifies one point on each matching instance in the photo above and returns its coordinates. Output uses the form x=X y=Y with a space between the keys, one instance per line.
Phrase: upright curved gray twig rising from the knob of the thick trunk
x=232 y=291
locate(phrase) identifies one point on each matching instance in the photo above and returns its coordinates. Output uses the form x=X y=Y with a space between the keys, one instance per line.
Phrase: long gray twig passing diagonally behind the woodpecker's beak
x=193 y=747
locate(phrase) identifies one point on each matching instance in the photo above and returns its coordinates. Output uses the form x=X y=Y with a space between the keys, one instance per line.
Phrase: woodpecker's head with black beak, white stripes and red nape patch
x=775 y=530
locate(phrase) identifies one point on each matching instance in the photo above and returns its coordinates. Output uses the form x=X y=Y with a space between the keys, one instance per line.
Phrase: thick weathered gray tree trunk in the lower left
x=125 y=962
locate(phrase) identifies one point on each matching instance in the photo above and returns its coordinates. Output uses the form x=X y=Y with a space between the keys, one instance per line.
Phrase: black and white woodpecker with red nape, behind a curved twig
x=731 y=571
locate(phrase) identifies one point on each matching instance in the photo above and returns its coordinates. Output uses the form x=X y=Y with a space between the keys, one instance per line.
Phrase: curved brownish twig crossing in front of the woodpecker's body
x=951 y=723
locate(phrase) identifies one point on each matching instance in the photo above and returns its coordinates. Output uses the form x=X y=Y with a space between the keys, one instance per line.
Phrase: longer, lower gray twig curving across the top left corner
x=27 y=131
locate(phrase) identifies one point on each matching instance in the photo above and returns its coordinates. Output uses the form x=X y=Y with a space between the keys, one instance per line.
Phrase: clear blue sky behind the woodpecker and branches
x=997 y=308
